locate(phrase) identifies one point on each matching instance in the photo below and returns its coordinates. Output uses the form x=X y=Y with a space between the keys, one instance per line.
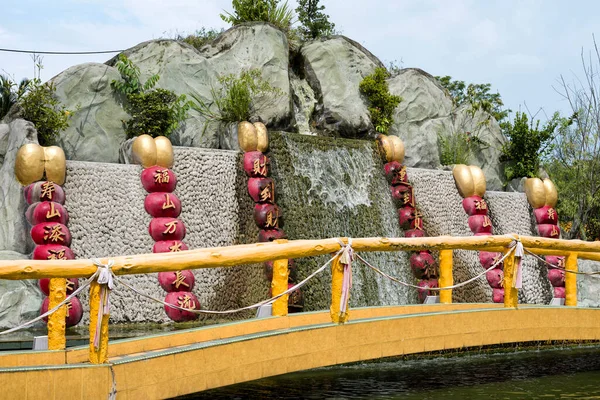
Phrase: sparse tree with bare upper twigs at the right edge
x=575 y=168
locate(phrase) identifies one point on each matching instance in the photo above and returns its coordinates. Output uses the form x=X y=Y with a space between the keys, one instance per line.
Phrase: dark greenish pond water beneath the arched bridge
x=555 y=373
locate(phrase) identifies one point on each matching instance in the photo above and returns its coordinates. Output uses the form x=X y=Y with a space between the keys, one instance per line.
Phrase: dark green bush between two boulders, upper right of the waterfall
x=381 y=102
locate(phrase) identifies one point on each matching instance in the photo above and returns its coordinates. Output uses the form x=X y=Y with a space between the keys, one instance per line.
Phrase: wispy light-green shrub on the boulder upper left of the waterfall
x=239 y=98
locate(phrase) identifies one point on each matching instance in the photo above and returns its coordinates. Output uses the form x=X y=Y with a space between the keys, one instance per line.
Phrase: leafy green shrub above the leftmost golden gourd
x=40 y=107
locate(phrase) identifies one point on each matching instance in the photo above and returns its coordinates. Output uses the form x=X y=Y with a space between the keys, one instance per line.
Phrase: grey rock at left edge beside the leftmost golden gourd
x=14 y=230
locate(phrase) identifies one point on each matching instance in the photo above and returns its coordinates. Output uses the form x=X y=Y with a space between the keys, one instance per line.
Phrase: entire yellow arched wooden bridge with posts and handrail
x=189 y=361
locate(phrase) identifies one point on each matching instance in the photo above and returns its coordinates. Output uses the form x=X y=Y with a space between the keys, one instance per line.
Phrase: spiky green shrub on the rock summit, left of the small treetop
x=271 y=11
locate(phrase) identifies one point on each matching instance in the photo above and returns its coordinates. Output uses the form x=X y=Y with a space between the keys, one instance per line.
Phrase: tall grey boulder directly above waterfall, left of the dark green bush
x=334 y=68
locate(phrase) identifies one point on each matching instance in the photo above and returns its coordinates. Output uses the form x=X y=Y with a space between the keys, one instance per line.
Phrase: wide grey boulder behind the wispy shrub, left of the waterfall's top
x=185 y=70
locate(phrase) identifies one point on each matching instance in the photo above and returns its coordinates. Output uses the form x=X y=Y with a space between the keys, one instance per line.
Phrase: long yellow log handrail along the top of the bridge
x=260 y=252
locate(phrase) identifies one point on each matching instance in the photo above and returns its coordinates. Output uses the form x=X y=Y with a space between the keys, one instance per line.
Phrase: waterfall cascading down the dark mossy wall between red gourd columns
x=335 y=188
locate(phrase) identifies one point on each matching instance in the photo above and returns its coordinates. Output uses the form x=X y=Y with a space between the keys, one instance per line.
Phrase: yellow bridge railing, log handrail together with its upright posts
x=280 y=251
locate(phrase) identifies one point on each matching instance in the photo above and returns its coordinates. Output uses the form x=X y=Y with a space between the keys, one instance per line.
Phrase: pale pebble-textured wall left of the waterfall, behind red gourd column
x=106 y=206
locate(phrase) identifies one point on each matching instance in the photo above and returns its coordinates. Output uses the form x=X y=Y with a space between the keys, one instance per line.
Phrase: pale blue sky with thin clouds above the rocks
x=521 y=47
